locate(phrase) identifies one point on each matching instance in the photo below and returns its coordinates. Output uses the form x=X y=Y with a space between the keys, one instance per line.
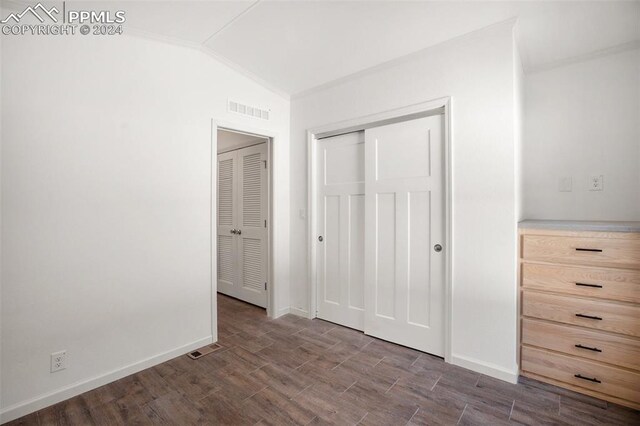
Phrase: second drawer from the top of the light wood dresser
x=611 y=284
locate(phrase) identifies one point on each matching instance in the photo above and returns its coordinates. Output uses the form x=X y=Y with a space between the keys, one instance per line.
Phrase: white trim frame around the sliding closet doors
x=423 y=109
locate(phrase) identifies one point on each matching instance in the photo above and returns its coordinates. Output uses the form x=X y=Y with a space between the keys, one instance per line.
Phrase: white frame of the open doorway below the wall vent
x=271 y=137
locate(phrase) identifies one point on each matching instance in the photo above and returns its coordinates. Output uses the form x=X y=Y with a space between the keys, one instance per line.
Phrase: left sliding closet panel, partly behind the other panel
x=340 y=272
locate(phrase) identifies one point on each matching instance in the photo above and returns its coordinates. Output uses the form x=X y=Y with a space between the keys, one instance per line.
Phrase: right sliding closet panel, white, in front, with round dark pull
x=404 y=219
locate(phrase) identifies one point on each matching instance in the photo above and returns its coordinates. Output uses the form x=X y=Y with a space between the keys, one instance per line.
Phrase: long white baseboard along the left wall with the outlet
x=29 y=406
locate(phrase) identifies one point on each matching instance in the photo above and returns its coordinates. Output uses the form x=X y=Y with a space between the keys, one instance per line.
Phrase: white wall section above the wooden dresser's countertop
x=580 y=120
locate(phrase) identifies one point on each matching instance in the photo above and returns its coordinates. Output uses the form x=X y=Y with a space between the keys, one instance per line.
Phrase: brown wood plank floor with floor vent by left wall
x=298 y=371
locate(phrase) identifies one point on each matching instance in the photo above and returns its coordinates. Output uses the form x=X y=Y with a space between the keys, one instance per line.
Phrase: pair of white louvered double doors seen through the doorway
x=242 y=224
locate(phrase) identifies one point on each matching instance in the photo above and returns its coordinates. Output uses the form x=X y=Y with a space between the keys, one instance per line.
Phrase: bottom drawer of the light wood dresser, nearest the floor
x=591 y=375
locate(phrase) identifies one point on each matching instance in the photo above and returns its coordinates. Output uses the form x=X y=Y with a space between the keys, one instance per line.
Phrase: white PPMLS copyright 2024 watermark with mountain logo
x=84 y=22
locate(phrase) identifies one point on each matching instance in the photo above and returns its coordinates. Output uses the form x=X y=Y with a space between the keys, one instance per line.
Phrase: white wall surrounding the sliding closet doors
x=478 y=72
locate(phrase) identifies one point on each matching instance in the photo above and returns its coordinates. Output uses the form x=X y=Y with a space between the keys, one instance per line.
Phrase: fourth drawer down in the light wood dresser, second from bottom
x=595 y=345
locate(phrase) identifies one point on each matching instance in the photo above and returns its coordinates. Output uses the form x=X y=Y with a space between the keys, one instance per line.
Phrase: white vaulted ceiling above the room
x=295 y=46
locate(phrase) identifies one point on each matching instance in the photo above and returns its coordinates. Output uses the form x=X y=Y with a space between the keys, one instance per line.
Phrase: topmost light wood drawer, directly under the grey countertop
x=609 y=252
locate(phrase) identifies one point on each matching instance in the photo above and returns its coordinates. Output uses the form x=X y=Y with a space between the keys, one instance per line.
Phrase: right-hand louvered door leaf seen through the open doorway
x=252 y=224
